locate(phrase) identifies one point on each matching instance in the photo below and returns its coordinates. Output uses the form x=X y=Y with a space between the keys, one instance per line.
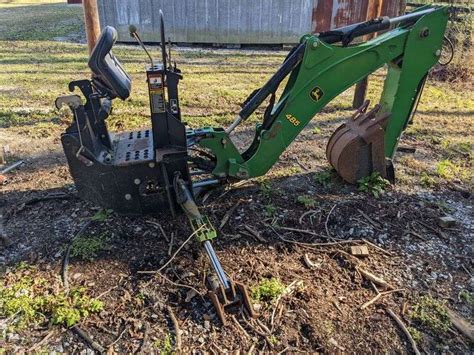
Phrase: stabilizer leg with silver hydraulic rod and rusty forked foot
x=226 y=296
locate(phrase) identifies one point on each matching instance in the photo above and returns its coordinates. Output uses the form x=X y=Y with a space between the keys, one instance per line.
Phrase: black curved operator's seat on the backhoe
x=108 y=72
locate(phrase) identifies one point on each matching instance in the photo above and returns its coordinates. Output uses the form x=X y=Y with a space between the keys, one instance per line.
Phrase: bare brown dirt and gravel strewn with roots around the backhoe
x=323 y=314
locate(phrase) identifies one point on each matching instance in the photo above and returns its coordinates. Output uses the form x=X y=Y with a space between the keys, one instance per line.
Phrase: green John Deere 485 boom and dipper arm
x=324 y=73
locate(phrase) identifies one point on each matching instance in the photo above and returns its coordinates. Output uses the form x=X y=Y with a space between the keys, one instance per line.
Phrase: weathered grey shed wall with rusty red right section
x=236 y=21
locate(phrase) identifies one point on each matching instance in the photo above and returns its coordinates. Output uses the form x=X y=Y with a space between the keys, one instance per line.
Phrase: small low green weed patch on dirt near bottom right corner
x=431 y=313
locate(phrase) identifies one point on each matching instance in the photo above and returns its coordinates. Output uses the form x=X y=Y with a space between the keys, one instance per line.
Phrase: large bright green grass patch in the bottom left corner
x=29 y=299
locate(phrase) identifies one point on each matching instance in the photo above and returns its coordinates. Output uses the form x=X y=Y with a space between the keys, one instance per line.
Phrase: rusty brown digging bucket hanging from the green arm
x=356 y=148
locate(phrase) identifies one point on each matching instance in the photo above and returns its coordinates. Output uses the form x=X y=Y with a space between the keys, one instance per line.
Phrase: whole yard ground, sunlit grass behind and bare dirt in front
x=289 y=226
